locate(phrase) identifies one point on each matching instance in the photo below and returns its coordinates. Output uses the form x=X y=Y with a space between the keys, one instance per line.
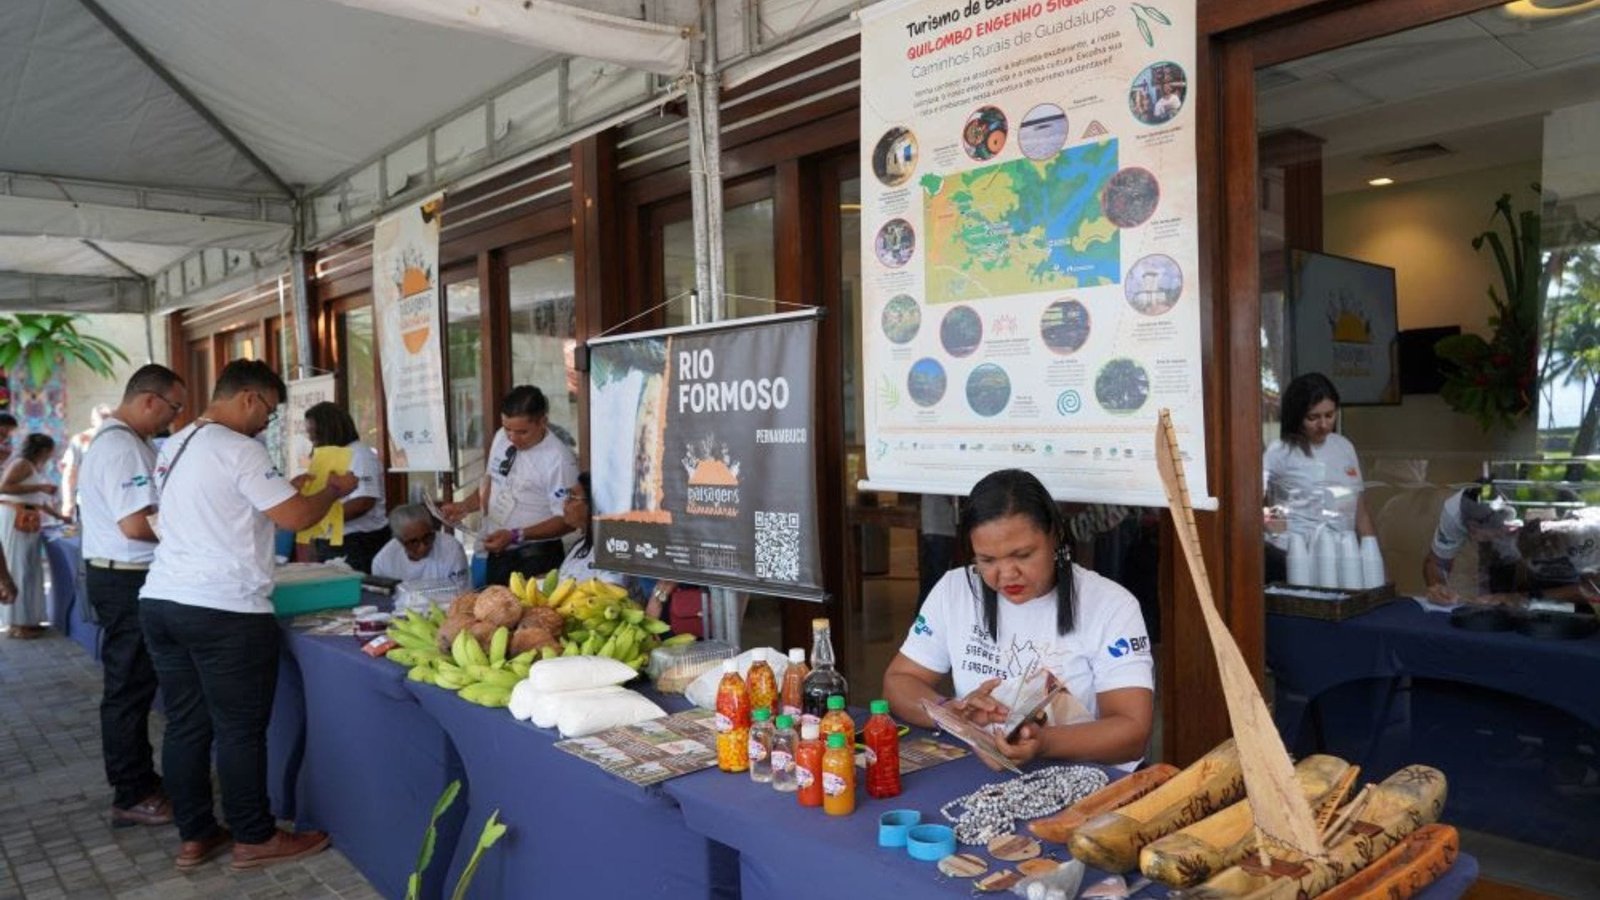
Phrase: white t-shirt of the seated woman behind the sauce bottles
x=1108 y=648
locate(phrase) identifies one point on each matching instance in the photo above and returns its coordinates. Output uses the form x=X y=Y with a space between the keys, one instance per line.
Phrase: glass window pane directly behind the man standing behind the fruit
x=545 y=337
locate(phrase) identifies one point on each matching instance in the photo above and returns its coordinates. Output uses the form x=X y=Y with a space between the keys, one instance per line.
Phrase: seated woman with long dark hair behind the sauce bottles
x=1025 y=608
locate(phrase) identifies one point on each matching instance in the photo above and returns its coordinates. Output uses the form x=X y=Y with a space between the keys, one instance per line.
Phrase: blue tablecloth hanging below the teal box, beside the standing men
x=374 y=765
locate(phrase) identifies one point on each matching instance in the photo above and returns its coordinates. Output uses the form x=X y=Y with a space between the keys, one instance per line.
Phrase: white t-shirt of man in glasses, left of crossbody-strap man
x=116 y=480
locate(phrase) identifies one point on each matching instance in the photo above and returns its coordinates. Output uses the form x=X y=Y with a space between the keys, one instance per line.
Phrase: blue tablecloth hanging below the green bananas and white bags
x=575 y=830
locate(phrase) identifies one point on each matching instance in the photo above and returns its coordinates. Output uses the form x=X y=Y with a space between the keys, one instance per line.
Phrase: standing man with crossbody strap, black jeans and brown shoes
x=207 y=614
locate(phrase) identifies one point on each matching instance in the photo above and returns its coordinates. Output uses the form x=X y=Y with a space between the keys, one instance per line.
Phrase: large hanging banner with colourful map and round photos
x=1030 y=244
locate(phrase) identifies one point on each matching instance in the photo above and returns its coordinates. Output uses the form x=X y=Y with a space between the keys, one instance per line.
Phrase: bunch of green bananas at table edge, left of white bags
x=478 y=677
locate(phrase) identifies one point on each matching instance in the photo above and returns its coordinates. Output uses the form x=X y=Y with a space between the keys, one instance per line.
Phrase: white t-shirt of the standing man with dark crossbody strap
x=217 y=540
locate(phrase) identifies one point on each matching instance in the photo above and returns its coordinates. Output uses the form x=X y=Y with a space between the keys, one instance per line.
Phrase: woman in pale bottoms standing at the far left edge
x=25 y=496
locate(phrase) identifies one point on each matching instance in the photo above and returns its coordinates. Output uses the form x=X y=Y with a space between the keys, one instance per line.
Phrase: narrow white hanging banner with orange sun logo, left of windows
x=406 y=305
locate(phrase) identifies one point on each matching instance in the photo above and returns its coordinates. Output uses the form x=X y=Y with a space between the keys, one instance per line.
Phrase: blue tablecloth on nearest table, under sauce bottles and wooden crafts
x=793 y=851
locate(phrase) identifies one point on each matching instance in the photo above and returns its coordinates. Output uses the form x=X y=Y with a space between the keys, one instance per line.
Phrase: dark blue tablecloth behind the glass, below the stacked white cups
x=1311 y=656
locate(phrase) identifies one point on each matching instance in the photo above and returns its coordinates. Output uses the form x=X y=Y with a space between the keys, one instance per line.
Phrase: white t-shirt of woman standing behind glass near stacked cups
x=1324 y=489
